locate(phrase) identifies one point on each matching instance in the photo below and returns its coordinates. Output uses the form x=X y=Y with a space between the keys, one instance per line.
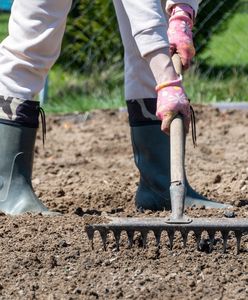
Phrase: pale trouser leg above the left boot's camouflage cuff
x=36 y=28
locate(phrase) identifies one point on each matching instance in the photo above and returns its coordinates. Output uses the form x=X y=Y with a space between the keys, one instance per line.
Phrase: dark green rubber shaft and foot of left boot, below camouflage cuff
x=16 y=163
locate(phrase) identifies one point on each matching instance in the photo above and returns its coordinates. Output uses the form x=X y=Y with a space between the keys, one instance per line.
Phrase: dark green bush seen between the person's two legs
x=96 y=41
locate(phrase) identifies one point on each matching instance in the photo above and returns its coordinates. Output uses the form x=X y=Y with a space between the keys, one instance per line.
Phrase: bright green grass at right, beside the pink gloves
x=224 y=76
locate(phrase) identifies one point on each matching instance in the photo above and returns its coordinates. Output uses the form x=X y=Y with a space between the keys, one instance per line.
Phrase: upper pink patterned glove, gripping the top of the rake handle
x=180 y=33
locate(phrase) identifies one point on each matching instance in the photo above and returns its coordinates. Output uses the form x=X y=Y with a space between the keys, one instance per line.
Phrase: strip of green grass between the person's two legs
x=72 y=91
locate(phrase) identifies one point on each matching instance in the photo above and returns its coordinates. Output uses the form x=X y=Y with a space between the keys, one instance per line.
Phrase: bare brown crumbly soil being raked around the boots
x=87 y=168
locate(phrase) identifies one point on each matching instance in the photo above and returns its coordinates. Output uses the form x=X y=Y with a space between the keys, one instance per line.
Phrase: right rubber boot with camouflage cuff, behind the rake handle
x=151 y=148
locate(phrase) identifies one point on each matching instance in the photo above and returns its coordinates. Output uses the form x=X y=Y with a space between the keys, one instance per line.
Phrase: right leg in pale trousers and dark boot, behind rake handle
x=151 y=146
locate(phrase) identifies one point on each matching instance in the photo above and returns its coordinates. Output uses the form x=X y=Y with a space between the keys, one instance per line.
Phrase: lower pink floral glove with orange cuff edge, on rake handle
x=171 y=101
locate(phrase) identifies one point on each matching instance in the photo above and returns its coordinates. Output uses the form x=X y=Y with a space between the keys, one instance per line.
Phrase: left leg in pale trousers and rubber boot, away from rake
x=36 y=29
